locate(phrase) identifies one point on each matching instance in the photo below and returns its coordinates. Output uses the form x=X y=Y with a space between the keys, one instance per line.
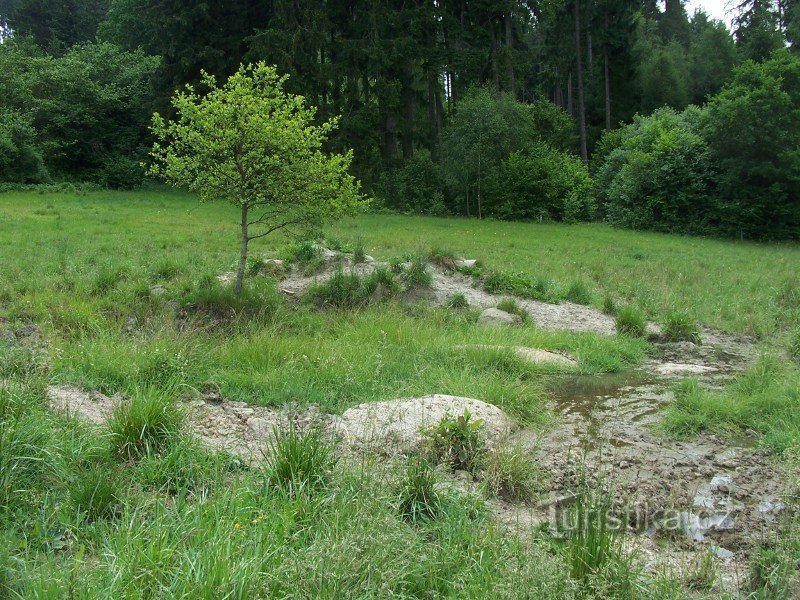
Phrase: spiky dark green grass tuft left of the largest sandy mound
x=298 y=464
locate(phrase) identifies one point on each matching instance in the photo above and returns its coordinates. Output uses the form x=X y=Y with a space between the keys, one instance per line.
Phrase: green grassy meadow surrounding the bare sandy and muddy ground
x=83 y=515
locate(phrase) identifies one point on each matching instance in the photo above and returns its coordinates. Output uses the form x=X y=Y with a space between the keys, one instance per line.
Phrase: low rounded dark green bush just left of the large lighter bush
x=543 y=184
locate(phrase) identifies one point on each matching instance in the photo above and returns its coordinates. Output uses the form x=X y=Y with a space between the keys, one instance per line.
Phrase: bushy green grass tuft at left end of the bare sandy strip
x=148 y=422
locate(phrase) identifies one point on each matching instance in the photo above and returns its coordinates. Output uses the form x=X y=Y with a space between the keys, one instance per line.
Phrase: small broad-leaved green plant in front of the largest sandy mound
x=458 y=443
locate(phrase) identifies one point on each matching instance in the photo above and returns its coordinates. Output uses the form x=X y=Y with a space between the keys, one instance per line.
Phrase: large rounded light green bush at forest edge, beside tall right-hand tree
x=658 y=175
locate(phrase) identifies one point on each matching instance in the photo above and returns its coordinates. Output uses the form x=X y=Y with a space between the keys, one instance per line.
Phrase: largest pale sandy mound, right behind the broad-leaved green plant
x=397 y=426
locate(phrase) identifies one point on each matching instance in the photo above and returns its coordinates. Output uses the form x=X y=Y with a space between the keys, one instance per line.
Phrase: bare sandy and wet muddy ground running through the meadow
x=681 y=498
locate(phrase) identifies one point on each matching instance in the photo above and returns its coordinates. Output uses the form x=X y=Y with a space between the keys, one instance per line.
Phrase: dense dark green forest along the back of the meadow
x=629 y=111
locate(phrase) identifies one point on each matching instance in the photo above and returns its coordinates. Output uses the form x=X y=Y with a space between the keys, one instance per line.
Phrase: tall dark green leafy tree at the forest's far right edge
x=749 y=128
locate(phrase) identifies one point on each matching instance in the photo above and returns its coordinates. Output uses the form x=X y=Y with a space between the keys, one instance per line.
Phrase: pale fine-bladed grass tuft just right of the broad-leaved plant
x=511 y=474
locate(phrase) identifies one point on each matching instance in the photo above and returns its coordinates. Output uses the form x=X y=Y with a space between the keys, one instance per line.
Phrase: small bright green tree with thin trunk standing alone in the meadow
x=250 y=143
